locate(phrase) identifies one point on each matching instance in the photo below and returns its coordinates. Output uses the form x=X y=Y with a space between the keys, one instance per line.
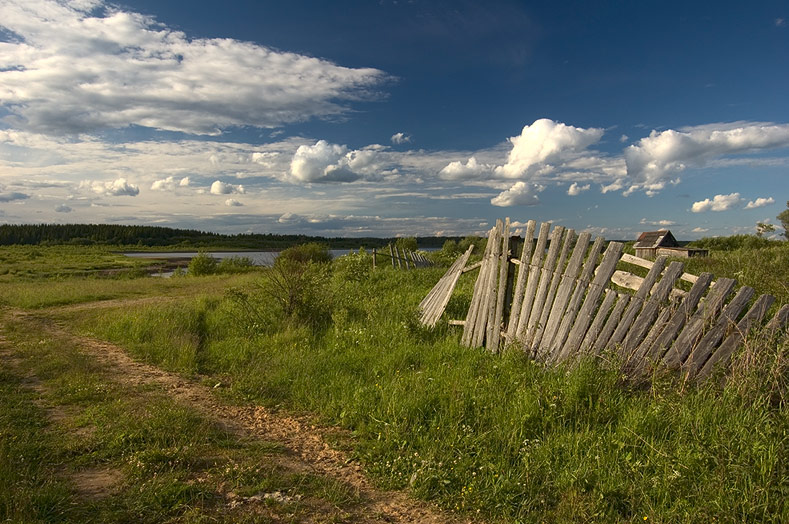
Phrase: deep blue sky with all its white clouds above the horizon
x=395 y=118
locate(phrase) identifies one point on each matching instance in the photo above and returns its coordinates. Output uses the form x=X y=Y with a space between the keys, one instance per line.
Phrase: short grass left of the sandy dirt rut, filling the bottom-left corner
x=172 y=463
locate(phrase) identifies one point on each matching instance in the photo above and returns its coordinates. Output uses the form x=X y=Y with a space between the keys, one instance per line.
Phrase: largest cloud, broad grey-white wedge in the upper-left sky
x=74 y=67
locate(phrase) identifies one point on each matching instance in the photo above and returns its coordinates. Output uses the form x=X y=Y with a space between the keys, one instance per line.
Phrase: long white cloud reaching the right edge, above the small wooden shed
x=655 y=159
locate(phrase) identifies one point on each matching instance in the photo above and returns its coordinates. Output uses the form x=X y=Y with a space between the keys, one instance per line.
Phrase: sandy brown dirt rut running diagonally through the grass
x=308 y=450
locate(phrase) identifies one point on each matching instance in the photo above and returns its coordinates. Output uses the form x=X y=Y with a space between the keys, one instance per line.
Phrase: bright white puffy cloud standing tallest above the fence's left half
x=545 y=142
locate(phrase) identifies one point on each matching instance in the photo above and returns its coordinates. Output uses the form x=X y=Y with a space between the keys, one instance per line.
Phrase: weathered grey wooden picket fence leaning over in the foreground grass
x=564 y=297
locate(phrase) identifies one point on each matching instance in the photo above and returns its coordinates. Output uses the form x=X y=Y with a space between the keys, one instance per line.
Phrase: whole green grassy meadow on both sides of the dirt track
x=494 y=436
